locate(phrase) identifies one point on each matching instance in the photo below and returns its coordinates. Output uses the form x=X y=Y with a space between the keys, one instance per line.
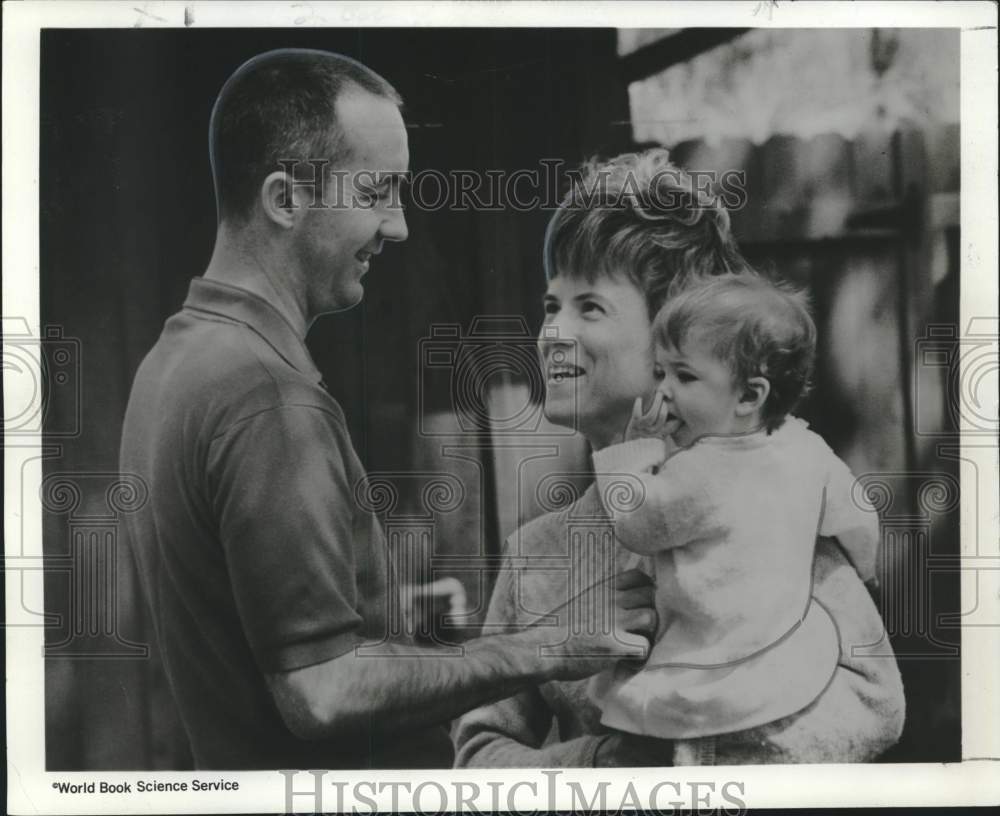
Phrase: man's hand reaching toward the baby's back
x=610 y=621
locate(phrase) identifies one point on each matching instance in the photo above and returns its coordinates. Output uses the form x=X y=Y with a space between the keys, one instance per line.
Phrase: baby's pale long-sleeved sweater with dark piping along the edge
x=731 y=525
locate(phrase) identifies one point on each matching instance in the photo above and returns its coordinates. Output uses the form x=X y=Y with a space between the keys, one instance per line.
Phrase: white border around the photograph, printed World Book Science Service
x=973 y=781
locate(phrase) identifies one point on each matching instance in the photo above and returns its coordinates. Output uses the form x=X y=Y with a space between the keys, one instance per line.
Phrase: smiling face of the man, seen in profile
x=335 y=242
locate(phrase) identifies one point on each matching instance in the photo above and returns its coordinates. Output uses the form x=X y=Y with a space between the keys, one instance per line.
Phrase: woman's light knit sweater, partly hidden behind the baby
x=858 y=716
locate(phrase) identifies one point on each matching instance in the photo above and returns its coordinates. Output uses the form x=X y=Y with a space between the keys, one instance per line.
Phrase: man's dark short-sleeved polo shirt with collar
x=252 y=549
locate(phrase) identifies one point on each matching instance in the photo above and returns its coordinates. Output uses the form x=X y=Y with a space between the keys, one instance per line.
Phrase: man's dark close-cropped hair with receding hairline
x=280 y=105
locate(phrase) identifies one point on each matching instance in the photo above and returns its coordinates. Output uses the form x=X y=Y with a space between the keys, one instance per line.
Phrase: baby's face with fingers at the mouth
x=698 y=389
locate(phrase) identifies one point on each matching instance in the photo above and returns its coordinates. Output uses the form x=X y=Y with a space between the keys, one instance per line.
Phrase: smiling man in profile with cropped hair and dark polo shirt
x=262 y=572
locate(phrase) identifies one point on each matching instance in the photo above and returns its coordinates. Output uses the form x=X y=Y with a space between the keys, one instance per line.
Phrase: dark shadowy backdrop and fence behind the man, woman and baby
x=128 y=218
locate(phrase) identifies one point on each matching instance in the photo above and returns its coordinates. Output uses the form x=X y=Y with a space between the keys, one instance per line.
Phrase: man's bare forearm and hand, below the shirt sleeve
x=395 y=690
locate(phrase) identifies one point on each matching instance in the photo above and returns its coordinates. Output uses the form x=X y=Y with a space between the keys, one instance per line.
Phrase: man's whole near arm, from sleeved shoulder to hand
x=288 y=542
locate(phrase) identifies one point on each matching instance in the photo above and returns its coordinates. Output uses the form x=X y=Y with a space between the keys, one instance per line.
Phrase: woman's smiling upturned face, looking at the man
x=596 y=349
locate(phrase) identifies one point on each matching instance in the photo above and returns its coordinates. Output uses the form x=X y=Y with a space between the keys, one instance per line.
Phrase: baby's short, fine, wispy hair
x=758 y=327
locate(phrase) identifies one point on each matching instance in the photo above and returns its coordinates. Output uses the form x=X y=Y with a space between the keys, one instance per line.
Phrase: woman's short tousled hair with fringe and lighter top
x=639 y=215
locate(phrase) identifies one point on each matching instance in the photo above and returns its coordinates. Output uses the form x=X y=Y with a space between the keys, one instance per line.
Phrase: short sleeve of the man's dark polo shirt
x=280 y=490
